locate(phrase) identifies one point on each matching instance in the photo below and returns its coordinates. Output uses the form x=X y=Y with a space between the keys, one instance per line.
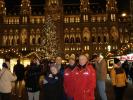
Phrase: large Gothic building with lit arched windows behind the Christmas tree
x=79 y=29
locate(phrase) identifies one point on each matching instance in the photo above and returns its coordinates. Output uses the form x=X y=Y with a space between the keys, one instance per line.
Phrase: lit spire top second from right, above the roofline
x=84 y=5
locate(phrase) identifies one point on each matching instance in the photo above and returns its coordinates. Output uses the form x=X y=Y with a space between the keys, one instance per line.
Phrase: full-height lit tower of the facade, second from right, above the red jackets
x=86 y=22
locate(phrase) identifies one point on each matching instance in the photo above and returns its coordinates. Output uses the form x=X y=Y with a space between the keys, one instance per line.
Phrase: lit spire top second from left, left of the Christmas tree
x=25 y=7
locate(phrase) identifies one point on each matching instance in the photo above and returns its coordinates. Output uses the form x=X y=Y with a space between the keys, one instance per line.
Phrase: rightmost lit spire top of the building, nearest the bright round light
x=111 y=6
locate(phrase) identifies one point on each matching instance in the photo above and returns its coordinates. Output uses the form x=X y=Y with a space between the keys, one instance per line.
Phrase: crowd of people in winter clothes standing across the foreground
x=78 y=80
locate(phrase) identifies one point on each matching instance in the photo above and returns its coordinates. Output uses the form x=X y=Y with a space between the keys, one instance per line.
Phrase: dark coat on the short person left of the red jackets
x=53 y=89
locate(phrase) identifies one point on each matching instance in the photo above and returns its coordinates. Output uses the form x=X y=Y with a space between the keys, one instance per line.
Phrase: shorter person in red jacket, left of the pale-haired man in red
x=68 y=79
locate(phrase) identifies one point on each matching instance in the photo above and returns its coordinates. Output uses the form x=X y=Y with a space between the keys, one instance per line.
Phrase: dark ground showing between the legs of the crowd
x=128 y=94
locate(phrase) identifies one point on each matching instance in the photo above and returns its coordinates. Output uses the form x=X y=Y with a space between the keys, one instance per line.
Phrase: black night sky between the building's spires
x=122 y=4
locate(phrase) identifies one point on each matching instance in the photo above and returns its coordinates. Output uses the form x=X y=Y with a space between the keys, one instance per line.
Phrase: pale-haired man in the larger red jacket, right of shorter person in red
x=84 y=80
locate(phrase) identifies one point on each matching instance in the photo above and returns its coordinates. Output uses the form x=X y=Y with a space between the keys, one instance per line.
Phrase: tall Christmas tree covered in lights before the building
x=49 y=42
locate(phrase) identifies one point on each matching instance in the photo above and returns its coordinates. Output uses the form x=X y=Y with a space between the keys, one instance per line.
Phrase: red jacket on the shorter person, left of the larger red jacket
x=68 y=82
